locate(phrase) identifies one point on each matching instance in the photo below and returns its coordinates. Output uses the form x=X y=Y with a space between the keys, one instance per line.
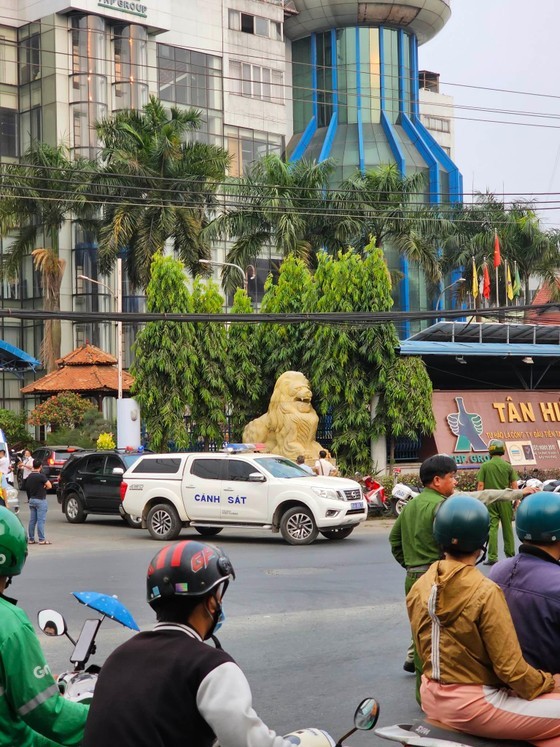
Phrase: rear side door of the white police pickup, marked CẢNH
x=202 y=488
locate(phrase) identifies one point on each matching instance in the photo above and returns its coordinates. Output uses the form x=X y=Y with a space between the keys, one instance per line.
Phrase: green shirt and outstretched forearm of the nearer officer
x=411 y=538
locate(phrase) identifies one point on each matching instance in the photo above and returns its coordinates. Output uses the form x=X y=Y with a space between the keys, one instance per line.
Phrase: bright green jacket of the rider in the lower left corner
x=33 y=713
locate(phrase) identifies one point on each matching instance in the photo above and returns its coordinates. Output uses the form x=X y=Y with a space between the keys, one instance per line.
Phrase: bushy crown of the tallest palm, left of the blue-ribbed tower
x=157 y=187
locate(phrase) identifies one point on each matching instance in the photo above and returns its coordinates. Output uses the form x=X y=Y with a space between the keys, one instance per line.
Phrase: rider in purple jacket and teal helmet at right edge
x=531 y=580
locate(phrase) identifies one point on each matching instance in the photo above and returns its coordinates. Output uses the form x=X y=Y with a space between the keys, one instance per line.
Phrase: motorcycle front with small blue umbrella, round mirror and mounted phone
x=78 y=684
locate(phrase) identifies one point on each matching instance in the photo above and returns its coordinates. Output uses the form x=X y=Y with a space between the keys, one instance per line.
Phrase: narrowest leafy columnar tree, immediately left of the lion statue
x=244 y=368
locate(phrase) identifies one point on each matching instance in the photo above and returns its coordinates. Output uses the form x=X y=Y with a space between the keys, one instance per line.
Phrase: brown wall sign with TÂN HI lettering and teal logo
x=528 y=423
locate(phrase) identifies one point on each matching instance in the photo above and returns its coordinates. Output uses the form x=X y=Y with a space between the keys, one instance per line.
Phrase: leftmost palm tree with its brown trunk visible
x=40 y=195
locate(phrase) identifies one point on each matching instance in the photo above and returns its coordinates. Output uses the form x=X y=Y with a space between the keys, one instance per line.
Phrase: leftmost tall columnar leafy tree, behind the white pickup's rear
x=165 y=358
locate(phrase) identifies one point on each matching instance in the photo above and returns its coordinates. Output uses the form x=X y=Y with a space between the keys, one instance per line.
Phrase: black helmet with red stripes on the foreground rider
x=187 y=569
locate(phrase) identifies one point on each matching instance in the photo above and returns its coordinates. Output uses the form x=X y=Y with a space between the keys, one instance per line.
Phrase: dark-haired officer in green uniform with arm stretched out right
x=411 y=538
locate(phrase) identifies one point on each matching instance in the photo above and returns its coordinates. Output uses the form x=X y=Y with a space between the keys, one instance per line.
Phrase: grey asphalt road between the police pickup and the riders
x=315 y=628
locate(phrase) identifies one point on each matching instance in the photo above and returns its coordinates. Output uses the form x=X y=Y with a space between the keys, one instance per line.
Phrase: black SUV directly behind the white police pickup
x=90 y=484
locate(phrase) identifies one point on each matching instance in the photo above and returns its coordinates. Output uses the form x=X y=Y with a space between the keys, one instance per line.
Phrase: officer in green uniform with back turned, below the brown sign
x=498 y=474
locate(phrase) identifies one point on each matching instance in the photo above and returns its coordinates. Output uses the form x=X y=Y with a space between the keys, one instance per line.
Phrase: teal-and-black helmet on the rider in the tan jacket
x=461 y=524
